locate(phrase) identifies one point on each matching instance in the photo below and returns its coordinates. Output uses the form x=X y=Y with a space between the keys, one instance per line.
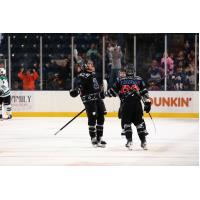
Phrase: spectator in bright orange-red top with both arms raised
x=28 y=79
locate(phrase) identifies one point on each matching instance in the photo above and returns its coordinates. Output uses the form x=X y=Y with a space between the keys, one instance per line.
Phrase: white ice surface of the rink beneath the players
x=31 y=141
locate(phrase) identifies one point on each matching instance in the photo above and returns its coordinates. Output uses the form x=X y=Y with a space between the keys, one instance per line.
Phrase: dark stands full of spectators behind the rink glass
x=56 y=50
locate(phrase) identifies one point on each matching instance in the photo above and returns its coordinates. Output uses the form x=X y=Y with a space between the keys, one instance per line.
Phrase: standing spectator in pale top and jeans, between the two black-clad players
x=115 y=56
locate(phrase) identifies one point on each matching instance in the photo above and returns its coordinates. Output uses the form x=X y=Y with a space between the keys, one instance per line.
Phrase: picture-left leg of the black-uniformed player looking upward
x=92 y=116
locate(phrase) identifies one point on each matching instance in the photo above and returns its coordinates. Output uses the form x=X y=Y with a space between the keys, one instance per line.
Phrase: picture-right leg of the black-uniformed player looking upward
x=101 y=110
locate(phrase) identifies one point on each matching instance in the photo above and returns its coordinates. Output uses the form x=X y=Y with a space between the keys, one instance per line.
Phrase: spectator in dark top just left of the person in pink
x=155 y=73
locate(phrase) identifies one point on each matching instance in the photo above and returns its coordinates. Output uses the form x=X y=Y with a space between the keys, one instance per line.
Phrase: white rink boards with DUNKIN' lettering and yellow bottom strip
x=59 y=103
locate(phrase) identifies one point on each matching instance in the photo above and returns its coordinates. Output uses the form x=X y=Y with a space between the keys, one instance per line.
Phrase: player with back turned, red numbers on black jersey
x=131 y=89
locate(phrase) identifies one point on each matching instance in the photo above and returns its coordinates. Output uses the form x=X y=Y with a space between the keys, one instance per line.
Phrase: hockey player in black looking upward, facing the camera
x=91 y=95
